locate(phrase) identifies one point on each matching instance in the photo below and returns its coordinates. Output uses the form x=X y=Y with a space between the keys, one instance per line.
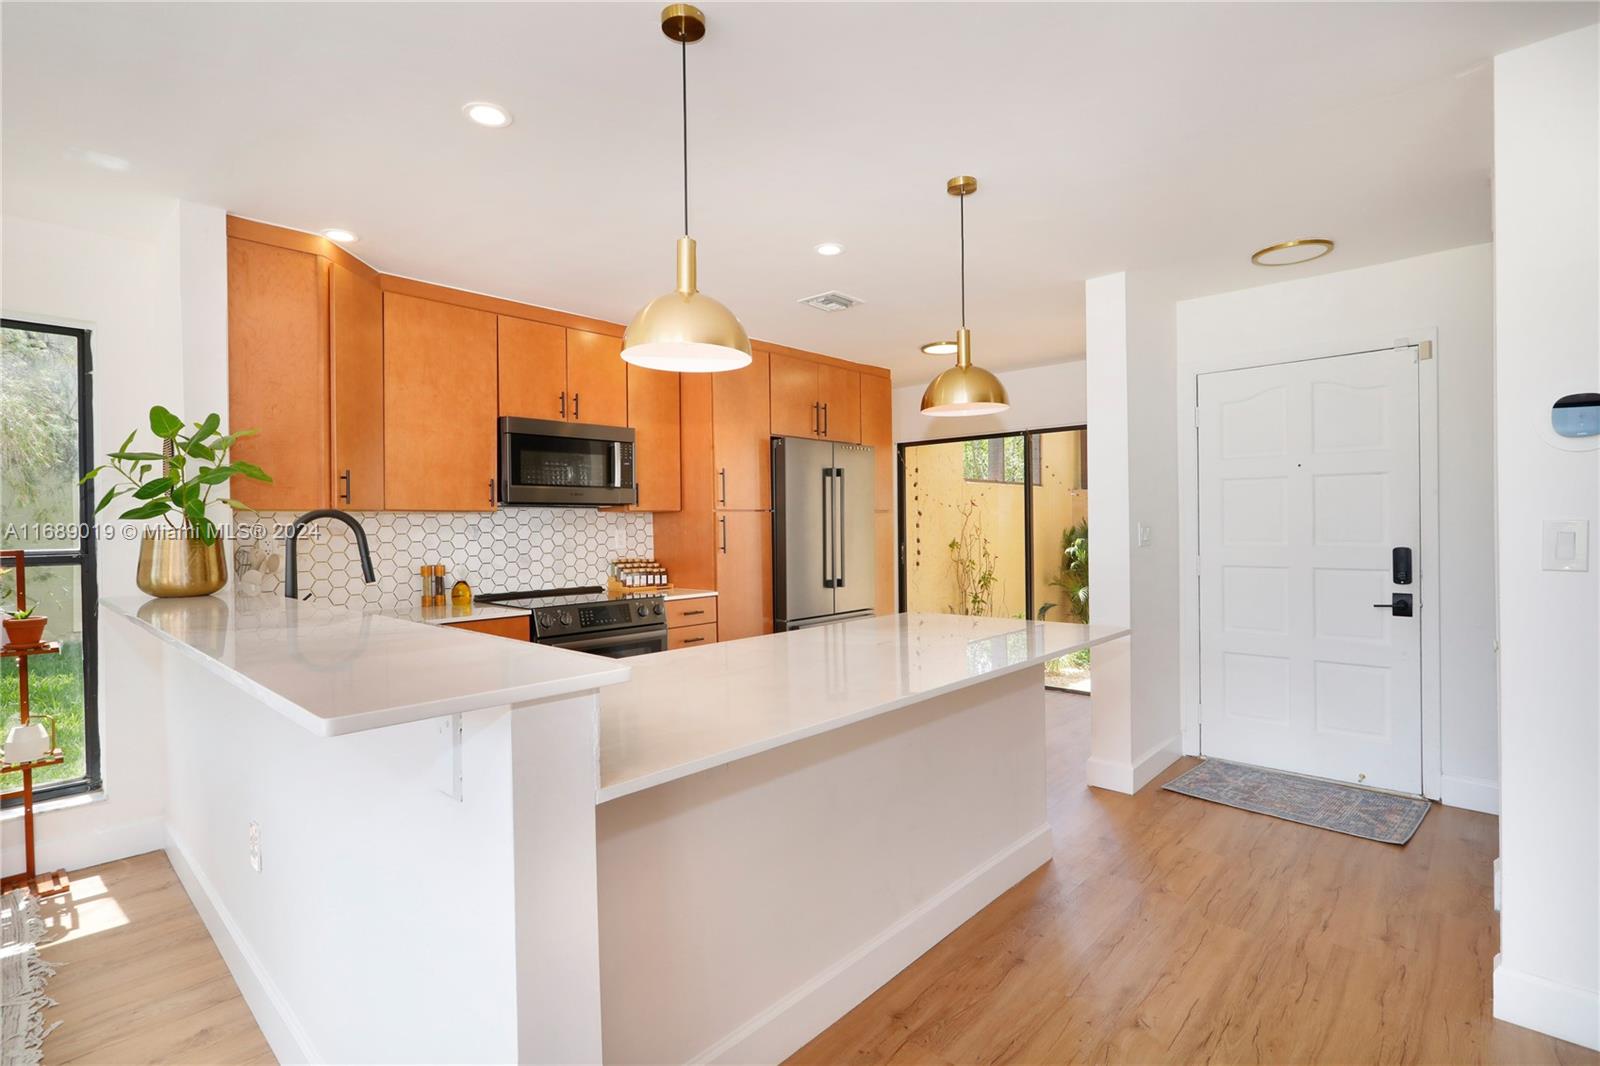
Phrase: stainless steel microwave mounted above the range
x=566 y=465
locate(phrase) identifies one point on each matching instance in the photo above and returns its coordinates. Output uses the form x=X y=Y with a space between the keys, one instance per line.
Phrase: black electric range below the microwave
x=586 y=619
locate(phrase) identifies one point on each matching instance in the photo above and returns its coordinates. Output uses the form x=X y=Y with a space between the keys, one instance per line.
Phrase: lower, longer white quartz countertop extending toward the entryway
x=698 y=708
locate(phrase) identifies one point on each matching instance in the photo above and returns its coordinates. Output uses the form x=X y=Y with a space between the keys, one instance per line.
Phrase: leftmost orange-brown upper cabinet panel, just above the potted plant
x=278 y=374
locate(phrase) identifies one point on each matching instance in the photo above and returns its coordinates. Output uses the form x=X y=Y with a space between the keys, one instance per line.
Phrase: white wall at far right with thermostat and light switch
x=1548 y=343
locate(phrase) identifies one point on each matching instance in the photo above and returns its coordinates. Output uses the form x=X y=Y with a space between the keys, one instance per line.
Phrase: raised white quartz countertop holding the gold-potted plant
x=343 y=671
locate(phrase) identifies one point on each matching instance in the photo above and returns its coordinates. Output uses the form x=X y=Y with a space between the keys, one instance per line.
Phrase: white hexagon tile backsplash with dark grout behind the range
x=495 y=551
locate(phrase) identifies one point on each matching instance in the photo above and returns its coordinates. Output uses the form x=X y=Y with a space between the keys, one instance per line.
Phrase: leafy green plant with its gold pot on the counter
x=185 y=553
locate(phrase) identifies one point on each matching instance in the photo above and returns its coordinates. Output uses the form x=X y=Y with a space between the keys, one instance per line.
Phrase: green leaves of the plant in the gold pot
x=178 y=487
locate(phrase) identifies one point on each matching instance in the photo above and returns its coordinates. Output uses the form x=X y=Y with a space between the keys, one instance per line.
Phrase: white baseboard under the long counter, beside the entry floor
x=786 y=1027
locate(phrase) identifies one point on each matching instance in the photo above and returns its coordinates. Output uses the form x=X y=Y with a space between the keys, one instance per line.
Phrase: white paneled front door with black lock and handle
x=1310 y=479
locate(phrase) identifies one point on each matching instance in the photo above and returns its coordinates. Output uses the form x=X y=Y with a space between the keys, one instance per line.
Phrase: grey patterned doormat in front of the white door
x=1308 y=801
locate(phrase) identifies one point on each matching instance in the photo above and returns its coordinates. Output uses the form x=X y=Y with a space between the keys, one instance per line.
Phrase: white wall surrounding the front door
x=1447 y=295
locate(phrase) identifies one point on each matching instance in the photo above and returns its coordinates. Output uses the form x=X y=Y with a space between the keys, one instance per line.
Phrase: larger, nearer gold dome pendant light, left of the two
x=686 y=331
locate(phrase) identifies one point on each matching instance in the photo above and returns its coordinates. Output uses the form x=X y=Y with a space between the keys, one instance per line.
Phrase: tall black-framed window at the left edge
x=46 y=449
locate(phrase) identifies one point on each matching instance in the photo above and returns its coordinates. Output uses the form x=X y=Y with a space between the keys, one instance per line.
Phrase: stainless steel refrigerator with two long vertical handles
x=823 y=545
